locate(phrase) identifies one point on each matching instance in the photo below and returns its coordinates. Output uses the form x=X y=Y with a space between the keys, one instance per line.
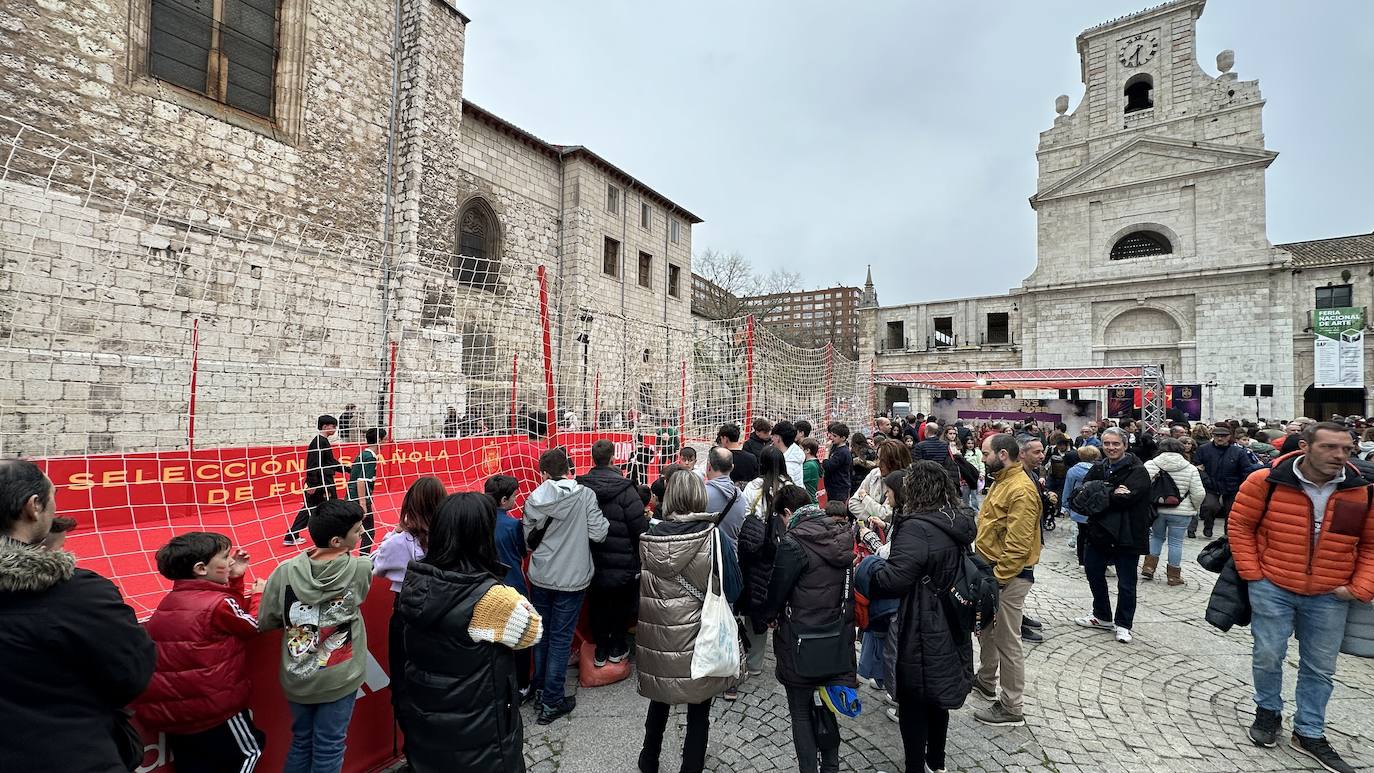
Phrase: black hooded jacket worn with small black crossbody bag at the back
x=807 y=591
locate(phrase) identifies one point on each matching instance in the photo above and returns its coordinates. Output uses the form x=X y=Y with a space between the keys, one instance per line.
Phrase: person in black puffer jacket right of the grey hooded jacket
x=615 y=590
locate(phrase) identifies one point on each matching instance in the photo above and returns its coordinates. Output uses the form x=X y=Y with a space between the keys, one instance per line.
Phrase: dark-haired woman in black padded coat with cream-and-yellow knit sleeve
x=461 y=705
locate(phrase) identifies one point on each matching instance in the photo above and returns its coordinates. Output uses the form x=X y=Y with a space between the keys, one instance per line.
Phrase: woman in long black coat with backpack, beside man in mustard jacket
x=930 y=661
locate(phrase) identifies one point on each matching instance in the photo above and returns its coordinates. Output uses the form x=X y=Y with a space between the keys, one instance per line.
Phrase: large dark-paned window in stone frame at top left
x=226 y=50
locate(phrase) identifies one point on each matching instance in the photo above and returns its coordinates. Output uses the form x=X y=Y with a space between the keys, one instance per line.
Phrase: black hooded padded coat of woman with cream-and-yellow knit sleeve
x=461 y=705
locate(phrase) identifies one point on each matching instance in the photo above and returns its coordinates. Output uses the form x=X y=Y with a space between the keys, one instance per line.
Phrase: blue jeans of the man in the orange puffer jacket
x=1320 y=623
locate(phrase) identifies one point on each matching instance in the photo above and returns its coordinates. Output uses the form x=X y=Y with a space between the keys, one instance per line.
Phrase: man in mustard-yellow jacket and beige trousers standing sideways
x=1009 y=539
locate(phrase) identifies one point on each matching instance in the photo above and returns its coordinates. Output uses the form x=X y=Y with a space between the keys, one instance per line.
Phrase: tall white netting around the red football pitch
x=167 y=351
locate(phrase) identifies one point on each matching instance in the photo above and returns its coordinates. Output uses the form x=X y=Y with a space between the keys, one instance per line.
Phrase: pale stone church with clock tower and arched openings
x=1152 y=245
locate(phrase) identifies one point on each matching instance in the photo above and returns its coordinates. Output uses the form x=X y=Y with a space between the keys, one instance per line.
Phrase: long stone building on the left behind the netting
x=295 y=203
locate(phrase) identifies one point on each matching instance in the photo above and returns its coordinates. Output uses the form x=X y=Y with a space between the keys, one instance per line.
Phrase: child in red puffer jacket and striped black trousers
x=200 y=694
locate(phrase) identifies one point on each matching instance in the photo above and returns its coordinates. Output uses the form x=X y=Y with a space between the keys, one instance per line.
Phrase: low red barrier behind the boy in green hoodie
x=370 y=737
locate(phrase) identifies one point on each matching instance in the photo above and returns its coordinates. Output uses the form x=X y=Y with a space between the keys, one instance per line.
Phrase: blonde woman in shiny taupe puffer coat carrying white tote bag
x=677 y=570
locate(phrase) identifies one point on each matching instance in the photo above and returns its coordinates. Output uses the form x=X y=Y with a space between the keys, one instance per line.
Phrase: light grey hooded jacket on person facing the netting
x=564 y=558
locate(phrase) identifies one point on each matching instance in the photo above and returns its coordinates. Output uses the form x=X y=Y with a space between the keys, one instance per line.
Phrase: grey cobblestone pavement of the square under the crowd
x=1178 y=698
